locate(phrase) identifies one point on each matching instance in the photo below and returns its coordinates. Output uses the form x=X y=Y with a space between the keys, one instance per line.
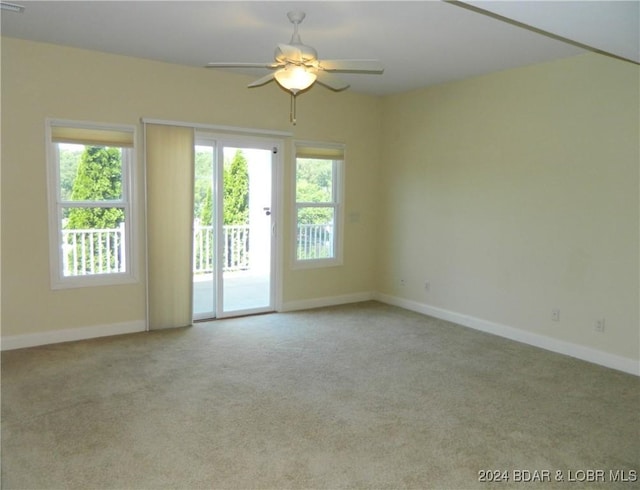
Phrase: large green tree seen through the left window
x=98 y=178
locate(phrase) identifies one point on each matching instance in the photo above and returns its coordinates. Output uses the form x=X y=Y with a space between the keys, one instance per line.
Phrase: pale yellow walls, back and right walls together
x=512 y=194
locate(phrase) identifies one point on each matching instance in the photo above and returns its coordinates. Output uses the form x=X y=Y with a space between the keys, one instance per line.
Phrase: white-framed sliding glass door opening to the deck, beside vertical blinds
x=234 y=226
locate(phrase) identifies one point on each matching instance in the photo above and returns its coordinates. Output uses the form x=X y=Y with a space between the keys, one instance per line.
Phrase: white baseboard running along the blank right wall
x=548 y=343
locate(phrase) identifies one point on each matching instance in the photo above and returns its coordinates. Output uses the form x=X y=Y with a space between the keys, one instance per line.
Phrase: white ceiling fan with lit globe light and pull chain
x=297 y=66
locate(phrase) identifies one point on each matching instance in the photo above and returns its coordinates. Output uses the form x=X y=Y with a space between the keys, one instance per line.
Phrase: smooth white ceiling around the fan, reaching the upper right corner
x=420 y=43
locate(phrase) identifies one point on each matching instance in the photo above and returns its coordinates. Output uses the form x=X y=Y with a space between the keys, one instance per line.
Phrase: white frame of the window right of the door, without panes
x=337 y=195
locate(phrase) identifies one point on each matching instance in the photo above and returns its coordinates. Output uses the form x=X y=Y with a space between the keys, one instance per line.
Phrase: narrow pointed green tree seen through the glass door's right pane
x=236 y=190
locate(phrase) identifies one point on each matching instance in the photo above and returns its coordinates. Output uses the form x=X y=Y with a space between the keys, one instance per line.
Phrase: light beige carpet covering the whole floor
x=357 y=396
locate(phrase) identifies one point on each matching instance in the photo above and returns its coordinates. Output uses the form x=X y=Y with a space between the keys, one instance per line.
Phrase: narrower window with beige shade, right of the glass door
x=318 y=213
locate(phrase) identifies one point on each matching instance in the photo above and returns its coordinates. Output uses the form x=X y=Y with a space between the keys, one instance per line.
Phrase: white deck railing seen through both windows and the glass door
x=102 y=251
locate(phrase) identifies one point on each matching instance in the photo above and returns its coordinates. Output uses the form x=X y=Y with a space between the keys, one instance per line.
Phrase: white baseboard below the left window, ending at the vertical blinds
x=12 y=342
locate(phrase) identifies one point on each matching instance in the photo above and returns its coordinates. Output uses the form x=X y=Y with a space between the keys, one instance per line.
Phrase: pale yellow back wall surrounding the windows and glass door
x=40 y=81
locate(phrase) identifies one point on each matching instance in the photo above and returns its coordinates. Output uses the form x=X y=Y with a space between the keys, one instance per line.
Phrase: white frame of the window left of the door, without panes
x=56 y=205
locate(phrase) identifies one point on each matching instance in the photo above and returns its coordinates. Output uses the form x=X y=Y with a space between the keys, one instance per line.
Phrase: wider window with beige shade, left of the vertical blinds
x=90 y=173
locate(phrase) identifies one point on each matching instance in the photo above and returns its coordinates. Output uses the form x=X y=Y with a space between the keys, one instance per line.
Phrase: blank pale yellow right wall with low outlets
x=517 y=193
